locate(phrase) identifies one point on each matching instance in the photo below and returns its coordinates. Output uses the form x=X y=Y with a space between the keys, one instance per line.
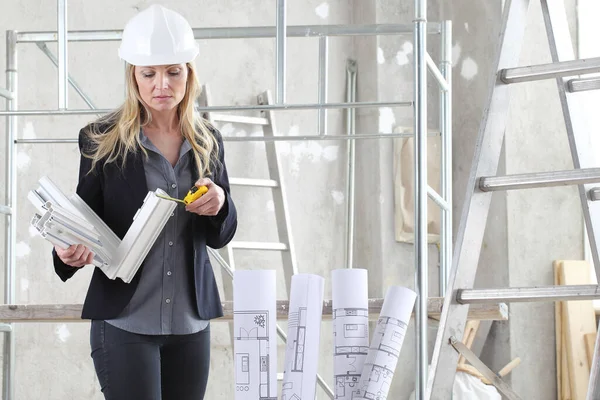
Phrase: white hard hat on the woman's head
x=158 y=36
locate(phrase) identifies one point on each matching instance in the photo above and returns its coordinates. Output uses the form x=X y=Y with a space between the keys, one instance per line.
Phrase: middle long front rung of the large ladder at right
x=541 y=179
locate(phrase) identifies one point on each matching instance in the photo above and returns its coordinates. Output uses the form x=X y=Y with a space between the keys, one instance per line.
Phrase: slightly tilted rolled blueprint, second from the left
x=304 y=329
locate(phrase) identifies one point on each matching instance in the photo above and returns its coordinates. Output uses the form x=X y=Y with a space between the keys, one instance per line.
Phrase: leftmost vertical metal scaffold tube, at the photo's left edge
x=11 y=202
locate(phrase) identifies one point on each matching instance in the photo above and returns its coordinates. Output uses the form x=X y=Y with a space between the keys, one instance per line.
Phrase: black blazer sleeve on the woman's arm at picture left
x=89 y=188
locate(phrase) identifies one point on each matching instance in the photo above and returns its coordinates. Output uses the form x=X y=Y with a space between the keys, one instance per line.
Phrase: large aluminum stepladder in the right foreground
x=483 y=182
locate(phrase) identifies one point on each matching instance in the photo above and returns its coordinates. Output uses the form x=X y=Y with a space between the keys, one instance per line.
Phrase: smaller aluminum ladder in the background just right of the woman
x=285 y=245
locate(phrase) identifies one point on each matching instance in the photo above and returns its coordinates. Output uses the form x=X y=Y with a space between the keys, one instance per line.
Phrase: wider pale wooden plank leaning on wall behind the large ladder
x=580 y=318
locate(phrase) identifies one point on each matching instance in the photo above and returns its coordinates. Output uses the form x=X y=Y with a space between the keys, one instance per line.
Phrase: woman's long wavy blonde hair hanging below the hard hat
x=116 y=135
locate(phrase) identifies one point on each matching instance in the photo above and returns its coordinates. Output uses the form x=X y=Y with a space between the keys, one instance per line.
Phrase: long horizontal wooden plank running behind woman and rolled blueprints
x=72 y=312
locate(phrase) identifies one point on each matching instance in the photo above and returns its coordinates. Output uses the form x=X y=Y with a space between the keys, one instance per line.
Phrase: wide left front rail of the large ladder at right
x=476 y=207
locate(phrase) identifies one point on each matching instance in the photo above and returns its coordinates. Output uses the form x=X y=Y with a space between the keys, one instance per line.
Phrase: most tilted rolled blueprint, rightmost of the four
x=384 y=352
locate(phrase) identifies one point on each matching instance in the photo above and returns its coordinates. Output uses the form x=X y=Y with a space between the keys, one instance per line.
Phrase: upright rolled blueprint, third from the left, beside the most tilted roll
x=350 y=306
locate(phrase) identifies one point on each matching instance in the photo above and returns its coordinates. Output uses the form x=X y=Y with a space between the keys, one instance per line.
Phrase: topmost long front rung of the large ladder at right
x=552 y=70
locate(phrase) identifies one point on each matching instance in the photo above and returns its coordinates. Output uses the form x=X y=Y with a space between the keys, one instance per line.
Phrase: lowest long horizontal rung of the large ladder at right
x=528 y=294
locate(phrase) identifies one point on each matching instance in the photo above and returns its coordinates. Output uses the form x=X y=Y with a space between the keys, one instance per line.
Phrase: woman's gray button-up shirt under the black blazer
x=163 y=302
